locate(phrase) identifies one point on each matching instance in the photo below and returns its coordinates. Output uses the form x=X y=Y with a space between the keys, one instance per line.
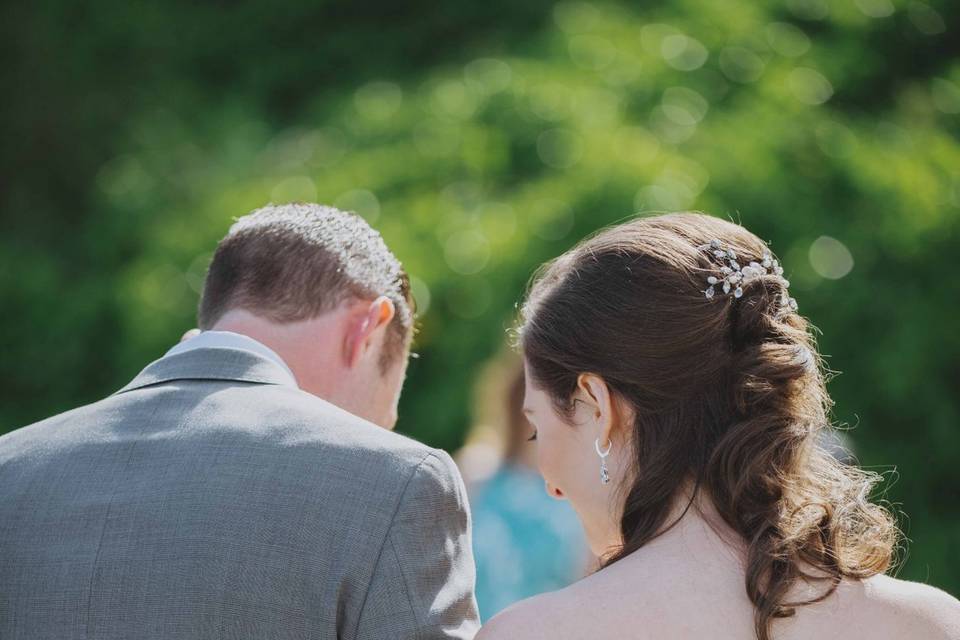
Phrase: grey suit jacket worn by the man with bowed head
x=211 y=498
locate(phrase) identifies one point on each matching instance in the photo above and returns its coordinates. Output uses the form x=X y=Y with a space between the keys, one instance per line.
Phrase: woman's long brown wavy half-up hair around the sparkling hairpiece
x=728 y=394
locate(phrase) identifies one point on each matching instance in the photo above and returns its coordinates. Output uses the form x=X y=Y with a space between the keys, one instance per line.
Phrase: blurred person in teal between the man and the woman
x=524 y=541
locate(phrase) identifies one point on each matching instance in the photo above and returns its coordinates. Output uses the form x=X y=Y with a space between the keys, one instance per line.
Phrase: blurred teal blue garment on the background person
x=524 y=541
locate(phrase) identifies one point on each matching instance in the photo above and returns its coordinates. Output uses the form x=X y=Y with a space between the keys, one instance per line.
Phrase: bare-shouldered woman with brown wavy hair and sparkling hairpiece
x=678 y=402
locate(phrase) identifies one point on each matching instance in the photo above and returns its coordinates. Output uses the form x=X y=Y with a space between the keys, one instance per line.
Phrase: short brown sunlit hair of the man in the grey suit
x=297 y=261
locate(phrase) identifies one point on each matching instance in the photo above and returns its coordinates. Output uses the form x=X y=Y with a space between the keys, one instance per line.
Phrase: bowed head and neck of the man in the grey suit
x=319 y=287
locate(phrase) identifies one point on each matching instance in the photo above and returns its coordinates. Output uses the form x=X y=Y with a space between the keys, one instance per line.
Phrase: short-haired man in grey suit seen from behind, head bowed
x=247 y=484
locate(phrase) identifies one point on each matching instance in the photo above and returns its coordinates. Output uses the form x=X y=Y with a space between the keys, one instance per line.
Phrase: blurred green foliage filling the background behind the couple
x=483 y=139
